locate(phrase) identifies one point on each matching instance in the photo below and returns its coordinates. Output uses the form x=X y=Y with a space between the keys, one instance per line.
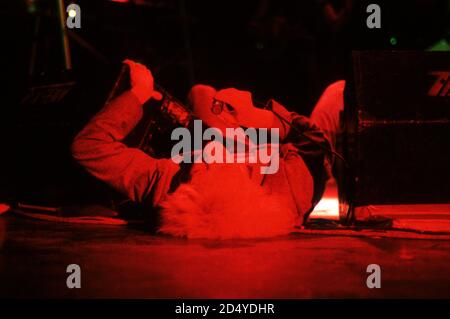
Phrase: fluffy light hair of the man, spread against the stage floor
x=222 y=202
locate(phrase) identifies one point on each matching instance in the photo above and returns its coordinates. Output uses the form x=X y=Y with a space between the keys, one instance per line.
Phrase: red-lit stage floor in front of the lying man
x=120 y=262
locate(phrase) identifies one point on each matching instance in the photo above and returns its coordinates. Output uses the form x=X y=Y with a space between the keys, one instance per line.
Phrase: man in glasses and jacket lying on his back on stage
x=217 y=200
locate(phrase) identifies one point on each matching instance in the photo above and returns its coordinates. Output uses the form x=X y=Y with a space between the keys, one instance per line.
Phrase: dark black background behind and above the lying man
x=288 y=50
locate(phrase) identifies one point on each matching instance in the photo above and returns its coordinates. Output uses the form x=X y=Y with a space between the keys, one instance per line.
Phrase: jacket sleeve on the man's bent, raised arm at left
x=99 y=149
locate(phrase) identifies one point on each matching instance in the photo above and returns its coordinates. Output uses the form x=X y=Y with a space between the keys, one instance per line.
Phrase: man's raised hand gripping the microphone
x=142 y=82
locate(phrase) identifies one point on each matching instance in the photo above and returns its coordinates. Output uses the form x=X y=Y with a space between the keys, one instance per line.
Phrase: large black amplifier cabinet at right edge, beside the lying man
x=396 y=125
